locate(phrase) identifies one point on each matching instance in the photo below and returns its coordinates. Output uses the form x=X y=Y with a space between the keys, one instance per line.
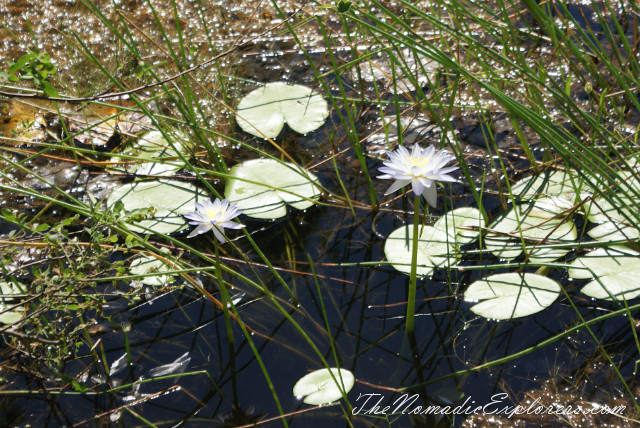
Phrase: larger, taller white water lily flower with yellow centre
x=420 y=167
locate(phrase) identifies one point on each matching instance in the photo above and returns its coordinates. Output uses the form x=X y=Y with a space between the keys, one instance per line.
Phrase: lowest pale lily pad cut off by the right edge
x=615 y=270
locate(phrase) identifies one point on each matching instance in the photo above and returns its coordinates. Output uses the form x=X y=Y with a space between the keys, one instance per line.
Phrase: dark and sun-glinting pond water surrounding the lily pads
x=343 y=295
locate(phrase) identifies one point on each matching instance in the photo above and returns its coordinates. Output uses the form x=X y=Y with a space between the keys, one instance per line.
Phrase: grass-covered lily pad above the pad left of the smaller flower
x=153 y=147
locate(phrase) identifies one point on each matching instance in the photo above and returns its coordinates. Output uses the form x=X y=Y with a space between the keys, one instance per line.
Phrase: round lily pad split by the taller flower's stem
x=435 y=248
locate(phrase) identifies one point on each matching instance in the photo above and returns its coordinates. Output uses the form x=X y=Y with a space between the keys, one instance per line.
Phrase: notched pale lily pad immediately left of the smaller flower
x=170 y=199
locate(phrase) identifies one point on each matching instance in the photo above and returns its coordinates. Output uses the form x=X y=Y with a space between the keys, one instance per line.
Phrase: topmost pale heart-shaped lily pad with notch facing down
x=264 y=111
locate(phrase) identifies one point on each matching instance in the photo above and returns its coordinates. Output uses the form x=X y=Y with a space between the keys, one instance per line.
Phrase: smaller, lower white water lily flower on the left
x=215 y=216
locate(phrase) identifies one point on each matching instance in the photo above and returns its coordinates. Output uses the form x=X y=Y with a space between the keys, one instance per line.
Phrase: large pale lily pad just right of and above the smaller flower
x=263 y=187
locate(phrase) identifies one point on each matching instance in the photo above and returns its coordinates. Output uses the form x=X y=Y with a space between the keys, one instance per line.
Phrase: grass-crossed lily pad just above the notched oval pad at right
x=538 y=226
